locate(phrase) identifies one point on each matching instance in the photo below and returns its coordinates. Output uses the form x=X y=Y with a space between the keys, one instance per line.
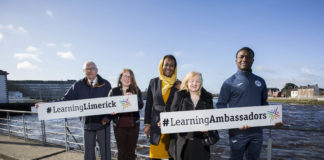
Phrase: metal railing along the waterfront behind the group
x=10 y=128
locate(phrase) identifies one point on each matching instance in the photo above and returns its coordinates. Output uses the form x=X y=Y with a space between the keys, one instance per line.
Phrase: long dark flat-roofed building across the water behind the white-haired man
x=40 y=90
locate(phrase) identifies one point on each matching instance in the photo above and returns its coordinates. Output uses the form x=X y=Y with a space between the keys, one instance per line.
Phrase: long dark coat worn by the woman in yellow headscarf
x=154 y=106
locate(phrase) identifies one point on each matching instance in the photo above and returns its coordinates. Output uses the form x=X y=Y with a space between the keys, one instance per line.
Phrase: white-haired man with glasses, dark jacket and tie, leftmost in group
x=93 y=86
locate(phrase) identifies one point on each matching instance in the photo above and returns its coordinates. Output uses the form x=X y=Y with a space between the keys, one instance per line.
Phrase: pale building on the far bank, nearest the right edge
x=309 y=91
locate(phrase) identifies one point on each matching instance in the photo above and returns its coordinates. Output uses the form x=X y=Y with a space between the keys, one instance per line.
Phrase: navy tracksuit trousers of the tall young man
x=246 y=143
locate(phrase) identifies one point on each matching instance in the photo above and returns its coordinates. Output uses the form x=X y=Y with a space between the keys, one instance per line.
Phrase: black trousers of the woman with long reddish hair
x=126 y=138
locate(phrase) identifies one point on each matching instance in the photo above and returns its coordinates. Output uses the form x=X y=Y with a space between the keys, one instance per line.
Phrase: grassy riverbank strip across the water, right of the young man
x=296 y=101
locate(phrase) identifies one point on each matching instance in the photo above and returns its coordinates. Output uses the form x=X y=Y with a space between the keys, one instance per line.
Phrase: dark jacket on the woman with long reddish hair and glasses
x=117 y=91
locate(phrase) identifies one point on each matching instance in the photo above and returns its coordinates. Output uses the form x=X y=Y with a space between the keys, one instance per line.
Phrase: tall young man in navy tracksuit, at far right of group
x=241 y=90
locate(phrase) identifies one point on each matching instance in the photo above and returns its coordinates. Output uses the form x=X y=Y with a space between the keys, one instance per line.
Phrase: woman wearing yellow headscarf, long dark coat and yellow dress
x=160 y=94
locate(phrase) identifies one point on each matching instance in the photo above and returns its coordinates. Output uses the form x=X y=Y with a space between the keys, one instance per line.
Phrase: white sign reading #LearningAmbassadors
x=226 y=118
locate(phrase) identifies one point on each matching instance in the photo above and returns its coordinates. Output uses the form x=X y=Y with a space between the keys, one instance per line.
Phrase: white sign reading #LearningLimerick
x=87 y=107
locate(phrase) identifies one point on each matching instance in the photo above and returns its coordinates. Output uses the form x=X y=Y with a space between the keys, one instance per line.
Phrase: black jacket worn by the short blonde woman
x=183 y=102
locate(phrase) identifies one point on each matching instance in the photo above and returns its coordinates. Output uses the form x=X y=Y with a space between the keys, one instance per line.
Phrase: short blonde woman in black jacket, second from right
x=191 y=96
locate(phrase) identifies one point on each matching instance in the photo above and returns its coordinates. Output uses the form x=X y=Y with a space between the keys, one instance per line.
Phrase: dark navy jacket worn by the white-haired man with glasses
x=83 y=90
